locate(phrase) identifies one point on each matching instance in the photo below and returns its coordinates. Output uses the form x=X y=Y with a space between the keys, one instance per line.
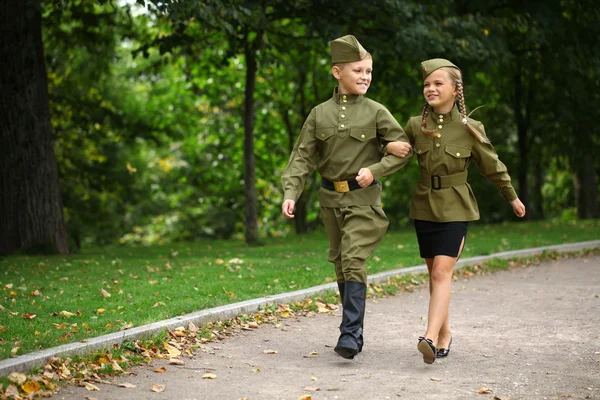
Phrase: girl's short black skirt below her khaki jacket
x=440 y=238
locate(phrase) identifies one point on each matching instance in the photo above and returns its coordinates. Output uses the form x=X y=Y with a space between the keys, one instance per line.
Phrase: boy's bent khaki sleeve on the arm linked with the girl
x=389 y=130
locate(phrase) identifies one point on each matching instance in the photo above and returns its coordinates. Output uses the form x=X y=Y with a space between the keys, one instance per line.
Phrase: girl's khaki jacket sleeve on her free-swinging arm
x=490 y=165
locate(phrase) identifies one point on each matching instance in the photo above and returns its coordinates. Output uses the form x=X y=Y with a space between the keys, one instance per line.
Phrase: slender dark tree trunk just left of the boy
x=251 y=208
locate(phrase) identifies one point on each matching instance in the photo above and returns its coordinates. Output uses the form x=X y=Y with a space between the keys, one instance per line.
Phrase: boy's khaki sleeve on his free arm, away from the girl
x=301 y=162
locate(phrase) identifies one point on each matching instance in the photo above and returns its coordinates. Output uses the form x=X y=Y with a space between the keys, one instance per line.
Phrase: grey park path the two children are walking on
x=525 y=333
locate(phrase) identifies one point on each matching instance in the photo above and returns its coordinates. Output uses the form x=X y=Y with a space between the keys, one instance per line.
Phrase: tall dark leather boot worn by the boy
x=353 y=302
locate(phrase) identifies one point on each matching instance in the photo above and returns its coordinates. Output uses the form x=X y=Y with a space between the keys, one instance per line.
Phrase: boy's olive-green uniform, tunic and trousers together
x=341 y=136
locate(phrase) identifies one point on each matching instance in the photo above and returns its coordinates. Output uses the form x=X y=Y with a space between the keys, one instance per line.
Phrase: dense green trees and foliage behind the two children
x=174 y=121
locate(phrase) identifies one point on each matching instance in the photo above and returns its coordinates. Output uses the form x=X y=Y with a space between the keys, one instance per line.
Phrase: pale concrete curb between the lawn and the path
x=28 y=361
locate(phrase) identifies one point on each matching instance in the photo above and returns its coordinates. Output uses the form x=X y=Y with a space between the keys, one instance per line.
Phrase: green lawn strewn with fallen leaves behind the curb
x=147 y=284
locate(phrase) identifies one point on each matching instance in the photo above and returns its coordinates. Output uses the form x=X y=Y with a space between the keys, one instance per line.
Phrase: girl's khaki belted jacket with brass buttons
x=451 y=154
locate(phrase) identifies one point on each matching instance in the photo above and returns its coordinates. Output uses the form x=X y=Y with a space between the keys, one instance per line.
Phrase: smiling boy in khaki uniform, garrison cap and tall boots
x=344 y=137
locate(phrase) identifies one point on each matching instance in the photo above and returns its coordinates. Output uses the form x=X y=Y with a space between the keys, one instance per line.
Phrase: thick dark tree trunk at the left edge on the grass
x=31 y=216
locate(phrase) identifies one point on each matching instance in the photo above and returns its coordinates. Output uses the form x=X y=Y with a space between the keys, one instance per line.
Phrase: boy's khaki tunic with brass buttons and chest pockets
x=341 y=136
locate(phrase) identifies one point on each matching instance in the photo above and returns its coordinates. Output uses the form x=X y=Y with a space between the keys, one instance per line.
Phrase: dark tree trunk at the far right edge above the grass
x=586 y=189
